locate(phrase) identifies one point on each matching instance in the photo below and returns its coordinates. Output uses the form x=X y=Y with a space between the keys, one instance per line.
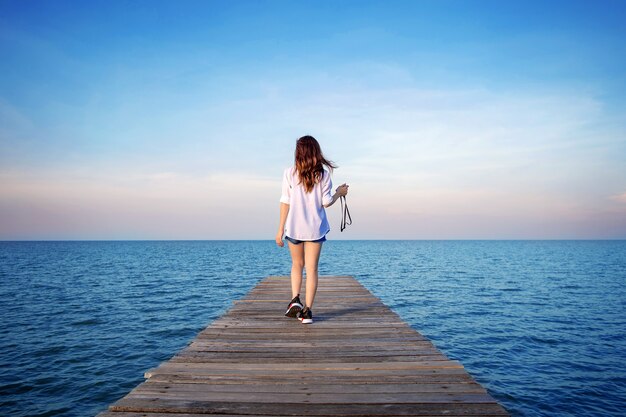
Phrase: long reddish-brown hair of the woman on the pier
x=310 y=162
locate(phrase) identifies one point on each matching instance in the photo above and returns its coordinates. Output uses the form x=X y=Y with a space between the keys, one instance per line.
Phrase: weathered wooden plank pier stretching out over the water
x=358 y=358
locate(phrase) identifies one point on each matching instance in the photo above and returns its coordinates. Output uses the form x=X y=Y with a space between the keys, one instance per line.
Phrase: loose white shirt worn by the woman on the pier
x=306 y=219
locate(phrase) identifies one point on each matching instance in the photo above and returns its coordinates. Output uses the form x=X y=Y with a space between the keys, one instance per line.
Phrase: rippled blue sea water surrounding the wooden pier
x=541 y=324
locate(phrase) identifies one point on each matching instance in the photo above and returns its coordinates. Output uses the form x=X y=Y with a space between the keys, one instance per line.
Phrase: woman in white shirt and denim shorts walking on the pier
x=306 y=192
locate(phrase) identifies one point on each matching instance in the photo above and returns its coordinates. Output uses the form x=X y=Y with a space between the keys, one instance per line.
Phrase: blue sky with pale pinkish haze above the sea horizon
x=450 y=120
